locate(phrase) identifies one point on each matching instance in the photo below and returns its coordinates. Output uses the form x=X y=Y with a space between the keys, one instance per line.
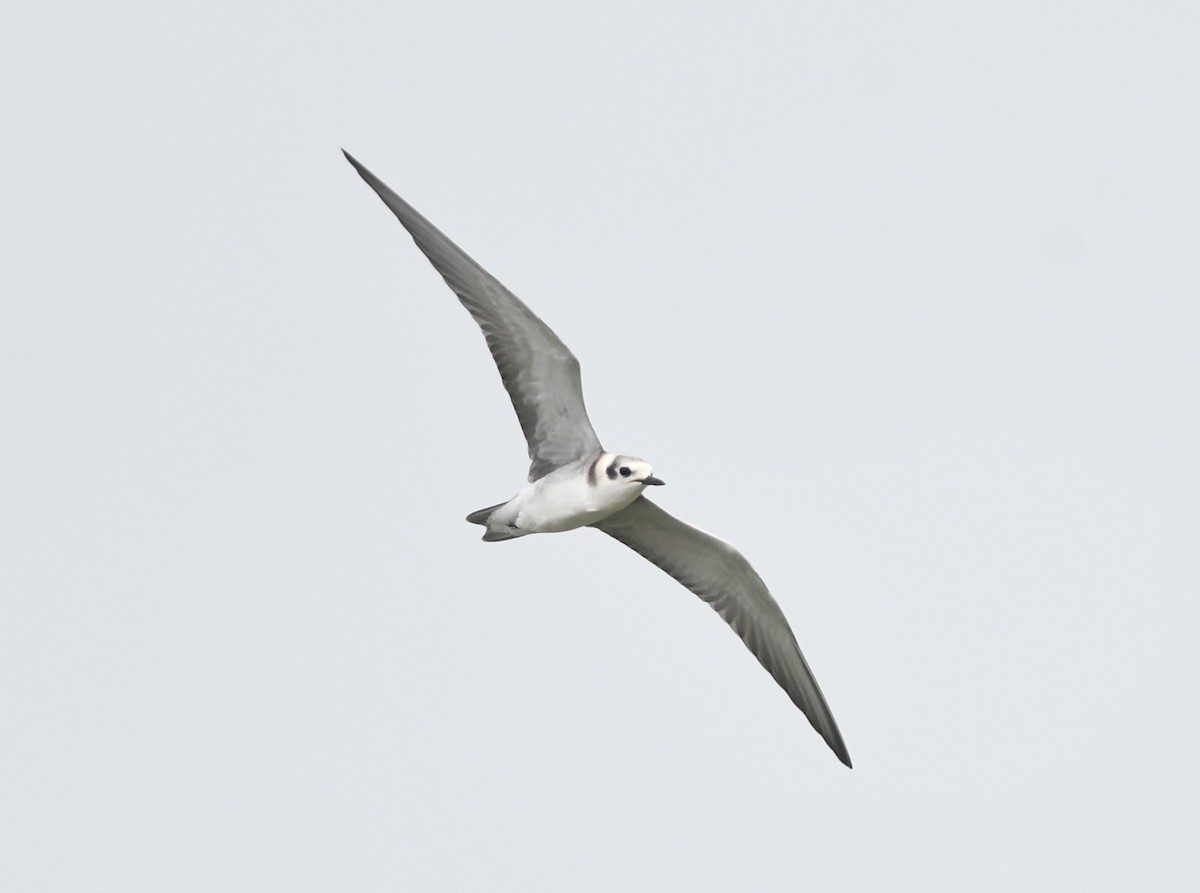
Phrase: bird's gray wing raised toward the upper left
x=541 y=375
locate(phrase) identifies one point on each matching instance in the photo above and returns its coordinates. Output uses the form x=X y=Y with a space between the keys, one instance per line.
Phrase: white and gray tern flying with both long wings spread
x=575 y=483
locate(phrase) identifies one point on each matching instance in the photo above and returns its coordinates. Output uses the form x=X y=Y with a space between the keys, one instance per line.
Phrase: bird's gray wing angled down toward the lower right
x=722 y=577
